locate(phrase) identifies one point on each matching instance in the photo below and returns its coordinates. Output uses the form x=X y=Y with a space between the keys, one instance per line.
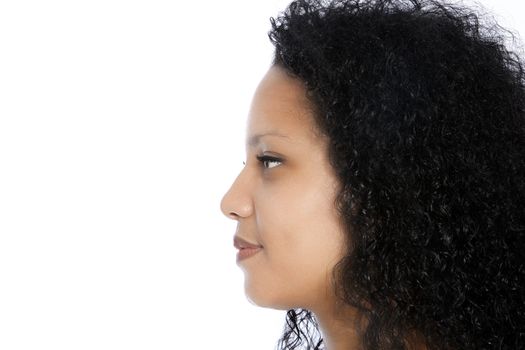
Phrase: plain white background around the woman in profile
x=121 y=126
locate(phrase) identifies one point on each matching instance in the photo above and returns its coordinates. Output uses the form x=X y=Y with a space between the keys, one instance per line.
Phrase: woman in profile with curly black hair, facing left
x=383 y=194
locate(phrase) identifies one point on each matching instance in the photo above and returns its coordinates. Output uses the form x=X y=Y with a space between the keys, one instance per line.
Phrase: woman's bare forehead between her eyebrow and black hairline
x=280 y=106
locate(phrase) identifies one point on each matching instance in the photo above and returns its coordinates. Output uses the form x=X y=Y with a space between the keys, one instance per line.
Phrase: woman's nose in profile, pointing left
x=237 y=203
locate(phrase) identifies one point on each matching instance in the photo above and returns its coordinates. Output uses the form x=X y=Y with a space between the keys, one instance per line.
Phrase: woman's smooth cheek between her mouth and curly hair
x=294 y=222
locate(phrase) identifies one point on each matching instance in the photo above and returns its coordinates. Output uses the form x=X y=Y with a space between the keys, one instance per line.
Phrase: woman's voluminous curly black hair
x=424 y=109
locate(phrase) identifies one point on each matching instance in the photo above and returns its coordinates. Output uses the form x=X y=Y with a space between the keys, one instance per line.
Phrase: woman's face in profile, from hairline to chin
x=284 y=201
